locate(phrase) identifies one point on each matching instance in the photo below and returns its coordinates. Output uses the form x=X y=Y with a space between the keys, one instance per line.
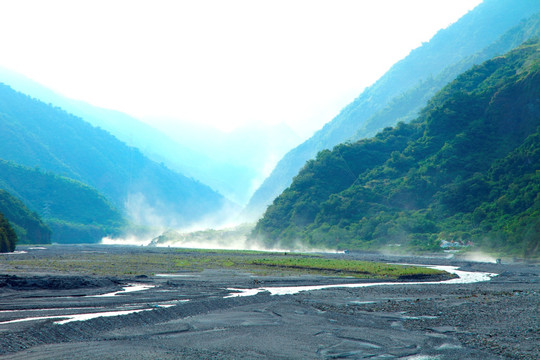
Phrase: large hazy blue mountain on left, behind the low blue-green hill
x=34 y=134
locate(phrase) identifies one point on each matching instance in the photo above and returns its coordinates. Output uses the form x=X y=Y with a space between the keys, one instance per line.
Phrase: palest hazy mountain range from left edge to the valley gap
x=224 y=161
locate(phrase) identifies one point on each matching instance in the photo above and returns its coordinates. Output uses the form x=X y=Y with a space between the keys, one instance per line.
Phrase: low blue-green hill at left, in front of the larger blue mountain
x=75 y=212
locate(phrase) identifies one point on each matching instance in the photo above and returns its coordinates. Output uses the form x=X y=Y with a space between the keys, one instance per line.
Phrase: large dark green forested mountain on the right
x=465 y=170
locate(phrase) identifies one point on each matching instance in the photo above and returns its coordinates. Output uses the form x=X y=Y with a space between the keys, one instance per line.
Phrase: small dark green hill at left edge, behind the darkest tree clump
x=27 y=225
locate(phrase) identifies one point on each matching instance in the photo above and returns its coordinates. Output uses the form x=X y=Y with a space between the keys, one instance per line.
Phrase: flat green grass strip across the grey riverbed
x=151 y=263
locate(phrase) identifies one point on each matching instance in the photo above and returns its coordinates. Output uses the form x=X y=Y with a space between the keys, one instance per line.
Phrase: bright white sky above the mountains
x=223 y=63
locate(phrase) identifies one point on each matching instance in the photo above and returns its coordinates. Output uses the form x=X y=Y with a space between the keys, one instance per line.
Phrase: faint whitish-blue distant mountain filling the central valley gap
x=238 y=160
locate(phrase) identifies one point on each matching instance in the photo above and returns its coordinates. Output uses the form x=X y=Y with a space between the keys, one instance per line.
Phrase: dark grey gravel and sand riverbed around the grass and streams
x=497 y=319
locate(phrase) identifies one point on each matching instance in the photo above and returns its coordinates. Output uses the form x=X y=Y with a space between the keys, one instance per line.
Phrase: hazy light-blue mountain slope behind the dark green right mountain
x=410 y=83
